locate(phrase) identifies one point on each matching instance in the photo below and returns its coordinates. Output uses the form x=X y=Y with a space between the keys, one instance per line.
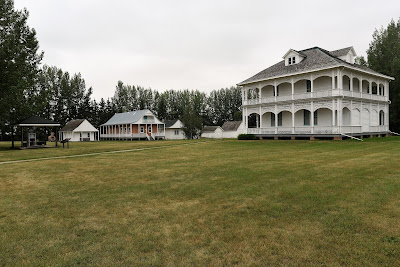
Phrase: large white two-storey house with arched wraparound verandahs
x=316 y=93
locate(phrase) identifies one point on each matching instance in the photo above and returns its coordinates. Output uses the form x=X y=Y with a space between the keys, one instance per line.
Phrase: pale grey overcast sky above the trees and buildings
x=186 y=44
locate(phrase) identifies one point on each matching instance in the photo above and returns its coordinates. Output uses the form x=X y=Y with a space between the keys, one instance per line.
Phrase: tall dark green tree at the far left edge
x=19 y=65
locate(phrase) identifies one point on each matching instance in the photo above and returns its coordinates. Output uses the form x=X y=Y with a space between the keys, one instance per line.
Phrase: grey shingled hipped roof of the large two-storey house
x=316 y=59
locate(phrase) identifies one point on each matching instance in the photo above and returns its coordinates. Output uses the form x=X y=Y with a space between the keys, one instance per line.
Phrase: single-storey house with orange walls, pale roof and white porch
x=133 y=125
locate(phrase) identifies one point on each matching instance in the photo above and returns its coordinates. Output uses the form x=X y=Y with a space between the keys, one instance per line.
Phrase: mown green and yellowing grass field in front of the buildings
x=216 y=203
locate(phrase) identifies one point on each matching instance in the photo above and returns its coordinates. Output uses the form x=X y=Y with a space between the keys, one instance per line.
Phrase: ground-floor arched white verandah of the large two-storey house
x=321 y=121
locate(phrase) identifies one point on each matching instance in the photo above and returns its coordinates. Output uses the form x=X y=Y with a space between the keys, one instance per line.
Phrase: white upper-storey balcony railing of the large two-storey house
x=315 y=94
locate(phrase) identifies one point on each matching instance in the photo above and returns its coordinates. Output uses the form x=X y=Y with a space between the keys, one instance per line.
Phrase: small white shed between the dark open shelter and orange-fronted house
x=79 y=130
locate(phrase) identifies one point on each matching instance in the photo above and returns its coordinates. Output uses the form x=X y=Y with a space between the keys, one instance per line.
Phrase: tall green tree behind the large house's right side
x=384 y=57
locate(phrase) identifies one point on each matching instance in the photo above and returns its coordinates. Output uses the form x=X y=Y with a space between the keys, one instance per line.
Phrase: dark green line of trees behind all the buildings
x=28 y=88
